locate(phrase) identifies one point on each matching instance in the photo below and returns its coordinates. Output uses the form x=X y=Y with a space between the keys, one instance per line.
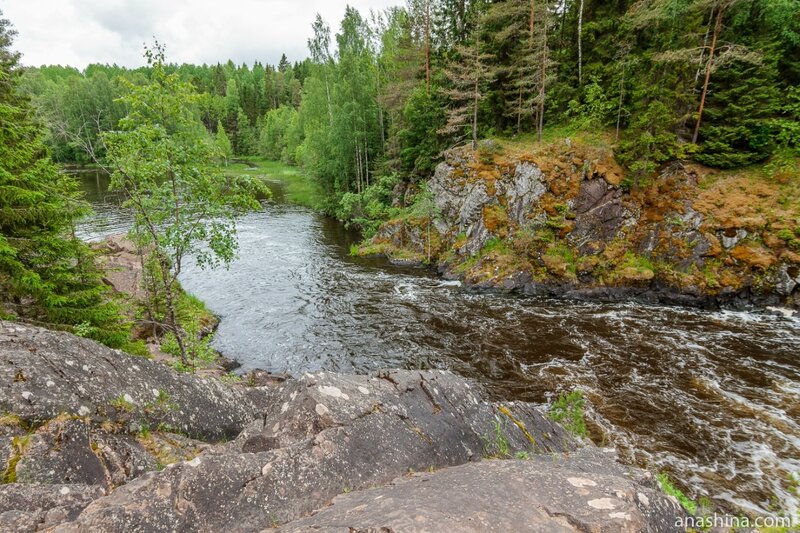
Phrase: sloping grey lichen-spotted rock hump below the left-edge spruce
x=48 y=373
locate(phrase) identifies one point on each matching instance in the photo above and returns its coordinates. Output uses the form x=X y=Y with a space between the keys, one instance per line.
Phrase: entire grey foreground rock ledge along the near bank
x=351 y=440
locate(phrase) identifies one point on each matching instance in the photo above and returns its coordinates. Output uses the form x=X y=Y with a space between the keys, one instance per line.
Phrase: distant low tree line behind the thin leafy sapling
x=77 y=106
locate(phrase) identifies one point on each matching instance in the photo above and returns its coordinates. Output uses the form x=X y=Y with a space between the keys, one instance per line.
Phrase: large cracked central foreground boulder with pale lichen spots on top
x=325 y=434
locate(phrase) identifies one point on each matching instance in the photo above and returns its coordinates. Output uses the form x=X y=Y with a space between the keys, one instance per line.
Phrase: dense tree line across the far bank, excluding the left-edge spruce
x=380 y=99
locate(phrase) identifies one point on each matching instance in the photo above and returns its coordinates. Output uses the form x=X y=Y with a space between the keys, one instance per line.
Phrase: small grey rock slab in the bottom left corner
x=26 y=508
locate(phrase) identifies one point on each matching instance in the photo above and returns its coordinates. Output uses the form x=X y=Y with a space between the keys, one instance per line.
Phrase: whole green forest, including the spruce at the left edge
x=379 y=99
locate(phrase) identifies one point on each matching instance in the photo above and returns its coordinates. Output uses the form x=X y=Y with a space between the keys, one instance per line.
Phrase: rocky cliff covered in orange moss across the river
x=566 y=220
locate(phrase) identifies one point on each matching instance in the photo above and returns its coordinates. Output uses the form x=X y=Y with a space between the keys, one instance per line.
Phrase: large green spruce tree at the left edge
x=47 y=275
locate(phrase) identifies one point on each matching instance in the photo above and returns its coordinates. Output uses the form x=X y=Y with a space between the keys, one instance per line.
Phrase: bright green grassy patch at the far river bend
x=298 y=187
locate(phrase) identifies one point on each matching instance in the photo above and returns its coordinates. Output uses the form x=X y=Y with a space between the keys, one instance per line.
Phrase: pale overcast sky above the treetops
x=80 y=32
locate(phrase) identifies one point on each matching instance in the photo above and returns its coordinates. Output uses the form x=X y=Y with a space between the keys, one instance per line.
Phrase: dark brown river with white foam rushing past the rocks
x=712 y=398
